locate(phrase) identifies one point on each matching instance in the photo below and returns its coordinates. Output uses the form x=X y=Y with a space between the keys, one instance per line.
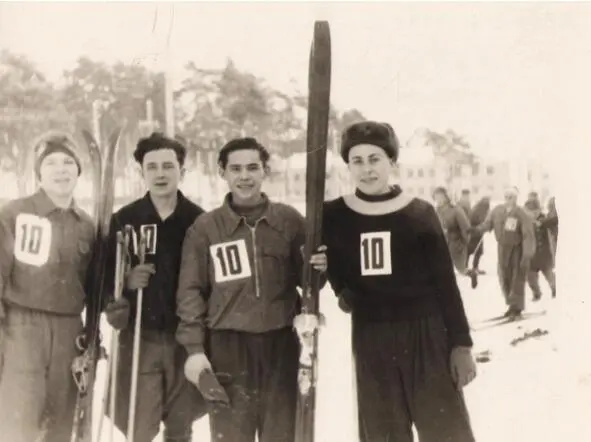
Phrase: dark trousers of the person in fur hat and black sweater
x=403 y=377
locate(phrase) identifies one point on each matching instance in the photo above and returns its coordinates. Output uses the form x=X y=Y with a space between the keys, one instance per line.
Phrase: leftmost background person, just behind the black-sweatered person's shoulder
x=456 y=228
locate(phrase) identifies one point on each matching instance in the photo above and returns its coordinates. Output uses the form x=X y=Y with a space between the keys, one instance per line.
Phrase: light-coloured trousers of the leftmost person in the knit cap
x=37 y=390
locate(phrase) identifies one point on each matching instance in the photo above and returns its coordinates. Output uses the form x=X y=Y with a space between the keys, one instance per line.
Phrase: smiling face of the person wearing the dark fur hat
x=370 y=168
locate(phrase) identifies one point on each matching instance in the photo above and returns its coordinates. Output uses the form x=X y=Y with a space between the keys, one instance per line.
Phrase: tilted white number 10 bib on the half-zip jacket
x=230 y=261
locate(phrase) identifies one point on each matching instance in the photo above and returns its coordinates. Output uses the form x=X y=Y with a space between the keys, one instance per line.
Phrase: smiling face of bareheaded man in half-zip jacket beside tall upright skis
x=244 y=173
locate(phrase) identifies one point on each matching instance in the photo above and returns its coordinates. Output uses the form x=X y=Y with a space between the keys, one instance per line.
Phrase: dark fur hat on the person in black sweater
x=370 y=132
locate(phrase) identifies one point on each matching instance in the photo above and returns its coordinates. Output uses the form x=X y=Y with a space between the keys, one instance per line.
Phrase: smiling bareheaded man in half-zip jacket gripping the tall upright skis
x=237 y=299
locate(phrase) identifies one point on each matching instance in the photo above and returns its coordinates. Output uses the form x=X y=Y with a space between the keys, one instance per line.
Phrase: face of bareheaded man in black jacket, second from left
x=162 y=172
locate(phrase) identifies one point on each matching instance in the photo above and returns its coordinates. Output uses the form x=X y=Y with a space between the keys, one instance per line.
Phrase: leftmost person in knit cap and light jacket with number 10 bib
x=46 y=244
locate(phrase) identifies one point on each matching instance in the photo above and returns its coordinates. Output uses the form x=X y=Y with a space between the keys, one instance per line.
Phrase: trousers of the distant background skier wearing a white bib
x=512 y=276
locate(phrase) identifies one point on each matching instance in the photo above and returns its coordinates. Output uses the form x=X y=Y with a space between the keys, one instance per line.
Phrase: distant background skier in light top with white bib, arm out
x=514 y=233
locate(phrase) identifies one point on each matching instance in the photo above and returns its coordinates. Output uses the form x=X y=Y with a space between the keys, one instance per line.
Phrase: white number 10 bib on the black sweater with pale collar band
x=375 y=254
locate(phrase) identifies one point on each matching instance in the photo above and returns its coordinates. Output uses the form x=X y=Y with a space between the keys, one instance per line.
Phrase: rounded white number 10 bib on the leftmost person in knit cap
x=32 y=242
